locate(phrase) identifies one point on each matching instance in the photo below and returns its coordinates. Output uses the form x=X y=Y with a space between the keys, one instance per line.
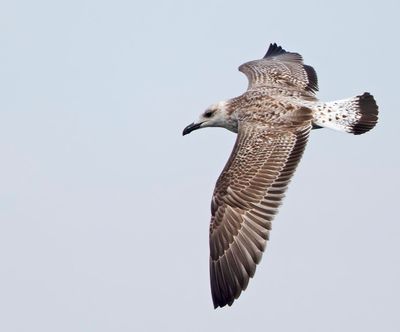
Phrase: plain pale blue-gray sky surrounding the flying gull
x=104 y=206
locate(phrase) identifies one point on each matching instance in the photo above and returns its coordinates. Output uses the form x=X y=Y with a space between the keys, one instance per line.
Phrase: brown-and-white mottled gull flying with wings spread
x=272 y=119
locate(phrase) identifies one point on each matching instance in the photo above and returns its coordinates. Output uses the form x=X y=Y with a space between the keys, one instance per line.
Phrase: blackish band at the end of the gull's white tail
x=369 y=114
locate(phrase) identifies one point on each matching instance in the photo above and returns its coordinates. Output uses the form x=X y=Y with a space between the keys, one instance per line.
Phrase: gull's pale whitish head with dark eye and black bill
x=214 y=116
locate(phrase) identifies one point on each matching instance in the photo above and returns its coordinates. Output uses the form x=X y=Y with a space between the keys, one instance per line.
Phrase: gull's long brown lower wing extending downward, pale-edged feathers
x=246 y=198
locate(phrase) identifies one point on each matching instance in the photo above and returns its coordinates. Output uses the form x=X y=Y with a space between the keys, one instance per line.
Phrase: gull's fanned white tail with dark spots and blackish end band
x=355 y=115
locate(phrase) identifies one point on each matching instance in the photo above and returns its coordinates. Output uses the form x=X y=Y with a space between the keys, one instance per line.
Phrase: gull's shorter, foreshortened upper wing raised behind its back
x=280 y=69
